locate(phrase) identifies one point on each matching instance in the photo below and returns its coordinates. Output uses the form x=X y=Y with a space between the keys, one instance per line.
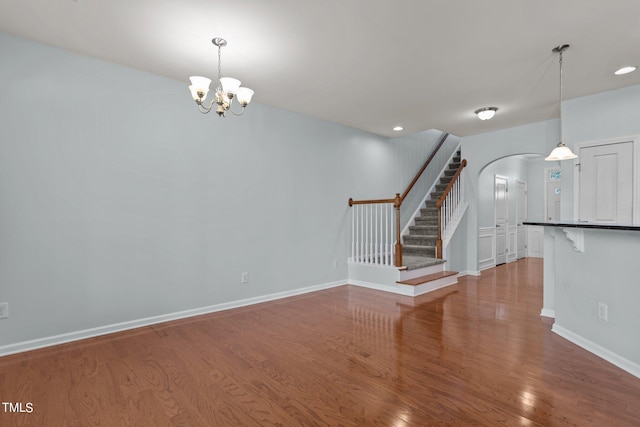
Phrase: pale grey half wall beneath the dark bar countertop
x=582 y=280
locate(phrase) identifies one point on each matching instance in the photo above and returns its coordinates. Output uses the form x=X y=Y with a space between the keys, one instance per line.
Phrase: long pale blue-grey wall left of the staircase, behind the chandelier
x=119 y=201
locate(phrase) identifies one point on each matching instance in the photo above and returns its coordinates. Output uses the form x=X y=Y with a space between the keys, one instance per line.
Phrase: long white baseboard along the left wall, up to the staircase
x=35 y=344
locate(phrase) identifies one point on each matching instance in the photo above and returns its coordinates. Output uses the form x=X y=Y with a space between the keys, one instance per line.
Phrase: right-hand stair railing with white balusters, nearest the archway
x=449 y=208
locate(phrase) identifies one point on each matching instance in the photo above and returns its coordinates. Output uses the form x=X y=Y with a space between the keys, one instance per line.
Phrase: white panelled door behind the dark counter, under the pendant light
x=606 y=183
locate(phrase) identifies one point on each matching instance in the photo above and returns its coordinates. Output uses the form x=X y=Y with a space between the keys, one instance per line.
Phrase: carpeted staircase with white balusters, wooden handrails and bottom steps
x=374 y=263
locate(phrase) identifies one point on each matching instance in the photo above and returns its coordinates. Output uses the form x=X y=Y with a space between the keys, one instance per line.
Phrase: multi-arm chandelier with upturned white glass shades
x=228 y=88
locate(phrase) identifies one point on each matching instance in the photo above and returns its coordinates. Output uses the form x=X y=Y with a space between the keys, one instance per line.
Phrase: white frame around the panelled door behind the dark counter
x=635 y=143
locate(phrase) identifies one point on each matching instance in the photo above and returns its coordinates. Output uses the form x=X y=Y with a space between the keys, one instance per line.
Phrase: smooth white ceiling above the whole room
x=369 y=64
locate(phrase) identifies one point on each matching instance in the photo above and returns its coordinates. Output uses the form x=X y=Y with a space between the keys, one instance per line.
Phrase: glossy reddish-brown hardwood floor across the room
x=472 y=354
